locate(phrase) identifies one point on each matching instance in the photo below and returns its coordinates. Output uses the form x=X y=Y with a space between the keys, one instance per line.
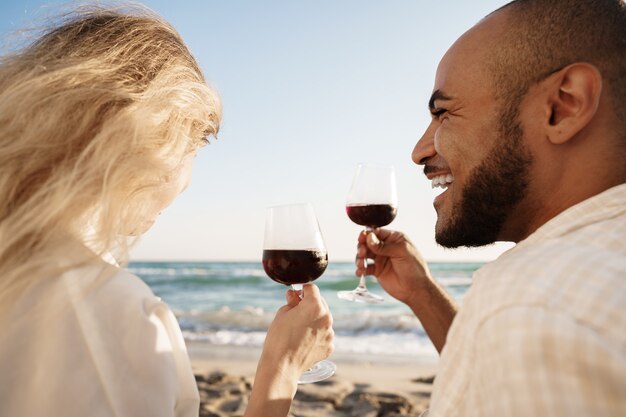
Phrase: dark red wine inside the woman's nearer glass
x=294 y=266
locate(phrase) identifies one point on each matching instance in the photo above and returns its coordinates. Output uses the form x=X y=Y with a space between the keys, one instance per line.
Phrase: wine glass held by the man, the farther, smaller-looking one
x=372 y=202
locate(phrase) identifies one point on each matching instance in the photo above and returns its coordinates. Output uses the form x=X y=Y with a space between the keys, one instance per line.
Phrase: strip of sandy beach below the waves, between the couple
x=364 y=385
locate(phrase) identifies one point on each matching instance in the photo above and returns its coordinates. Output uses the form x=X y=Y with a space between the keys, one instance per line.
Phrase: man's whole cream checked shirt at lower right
x=542 y=331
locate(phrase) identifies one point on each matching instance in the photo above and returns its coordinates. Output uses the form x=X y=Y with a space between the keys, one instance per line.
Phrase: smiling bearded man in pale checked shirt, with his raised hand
x=528 y=134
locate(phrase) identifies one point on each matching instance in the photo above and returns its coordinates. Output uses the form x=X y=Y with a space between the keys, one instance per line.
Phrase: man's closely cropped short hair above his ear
x=545 y=36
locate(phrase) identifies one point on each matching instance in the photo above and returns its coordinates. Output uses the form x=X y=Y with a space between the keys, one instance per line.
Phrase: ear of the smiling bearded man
x=573 y=99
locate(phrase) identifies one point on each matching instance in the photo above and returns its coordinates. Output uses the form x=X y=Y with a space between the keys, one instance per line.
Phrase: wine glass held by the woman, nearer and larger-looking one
x=294 y=254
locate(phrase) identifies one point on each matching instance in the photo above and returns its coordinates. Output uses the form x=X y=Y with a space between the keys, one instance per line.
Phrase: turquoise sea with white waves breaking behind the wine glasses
x=232 y=303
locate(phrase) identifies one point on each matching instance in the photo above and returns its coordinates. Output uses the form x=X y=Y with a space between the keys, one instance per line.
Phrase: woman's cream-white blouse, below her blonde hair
x=94 y=341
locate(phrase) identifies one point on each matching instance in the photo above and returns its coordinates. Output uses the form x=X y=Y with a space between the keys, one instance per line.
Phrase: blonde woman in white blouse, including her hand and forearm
x=100 y=120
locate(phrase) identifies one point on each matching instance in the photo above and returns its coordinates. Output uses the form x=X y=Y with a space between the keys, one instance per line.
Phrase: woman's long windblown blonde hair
x=95 y=115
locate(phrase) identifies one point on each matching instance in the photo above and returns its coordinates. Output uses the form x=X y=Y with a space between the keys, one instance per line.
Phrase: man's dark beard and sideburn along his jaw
x=494 y=188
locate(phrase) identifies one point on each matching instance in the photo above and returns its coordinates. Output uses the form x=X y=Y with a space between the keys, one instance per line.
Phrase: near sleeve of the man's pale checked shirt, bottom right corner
x=533 y=361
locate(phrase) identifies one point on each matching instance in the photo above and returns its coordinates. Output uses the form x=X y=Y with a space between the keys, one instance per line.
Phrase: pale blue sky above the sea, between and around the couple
x=309 y=89
